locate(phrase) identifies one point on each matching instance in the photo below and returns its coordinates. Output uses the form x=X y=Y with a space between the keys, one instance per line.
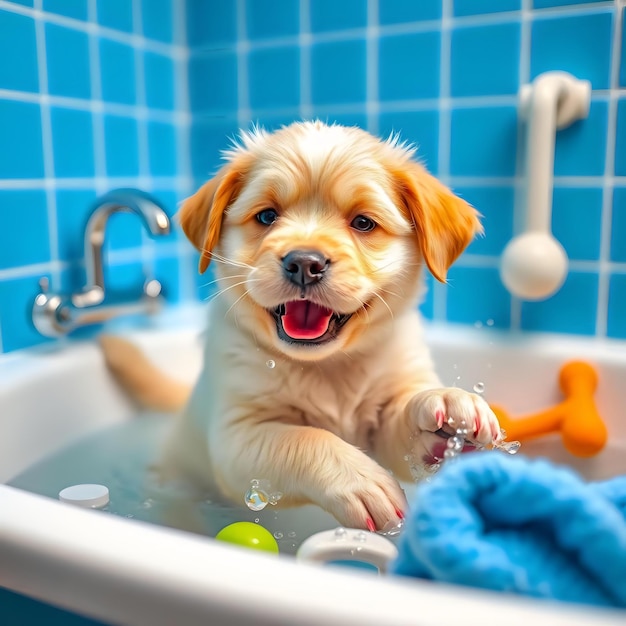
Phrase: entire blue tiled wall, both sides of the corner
x=140 y=94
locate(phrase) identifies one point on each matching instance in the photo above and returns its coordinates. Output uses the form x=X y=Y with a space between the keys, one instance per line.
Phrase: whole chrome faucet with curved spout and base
x=55 y=315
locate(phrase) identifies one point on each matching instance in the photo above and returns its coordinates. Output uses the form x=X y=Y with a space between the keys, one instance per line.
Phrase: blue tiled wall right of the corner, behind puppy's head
x=395 y=66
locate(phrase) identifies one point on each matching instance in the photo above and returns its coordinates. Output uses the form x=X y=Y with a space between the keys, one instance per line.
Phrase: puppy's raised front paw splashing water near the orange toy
x=429 y=412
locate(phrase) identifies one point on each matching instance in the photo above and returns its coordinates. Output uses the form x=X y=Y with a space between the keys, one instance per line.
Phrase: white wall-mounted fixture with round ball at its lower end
x=534 y=264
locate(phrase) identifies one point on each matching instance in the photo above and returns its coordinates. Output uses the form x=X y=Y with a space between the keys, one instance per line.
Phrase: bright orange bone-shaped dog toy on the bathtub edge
x=576 y=418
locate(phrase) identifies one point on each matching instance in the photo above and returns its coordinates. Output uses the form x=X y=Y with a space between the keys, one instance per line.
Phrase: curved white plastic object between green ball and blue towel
x=348 y=544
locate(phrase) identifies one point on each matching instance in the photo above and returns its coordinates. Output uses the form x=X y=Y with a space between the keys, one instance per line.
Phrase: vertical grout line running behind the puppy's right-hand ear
x=440 y=291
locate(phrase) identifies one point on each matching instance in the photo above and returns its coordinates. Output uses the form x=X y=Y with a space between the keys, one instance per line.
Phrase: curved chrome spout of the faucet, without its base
x=152 y=216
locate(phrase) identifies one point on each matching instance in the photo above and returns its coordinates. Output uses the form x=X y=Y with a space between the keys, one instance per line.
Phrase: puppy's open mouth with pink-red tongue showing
x=305 y=322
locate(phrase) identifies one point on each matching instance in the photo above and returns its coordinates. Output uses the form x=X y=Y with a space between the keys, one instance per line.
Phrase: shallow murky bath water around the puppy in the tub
x=122 y=458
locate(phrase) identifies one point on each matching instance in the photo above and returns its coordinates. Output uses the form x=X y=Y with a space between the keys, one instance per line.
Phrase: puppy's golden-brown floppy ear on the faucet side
x=201 y=214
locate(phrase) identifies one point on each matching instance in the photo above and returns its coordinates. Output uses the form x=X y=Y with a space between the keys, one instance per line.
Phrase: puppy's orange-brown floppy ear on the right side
x=444 y=223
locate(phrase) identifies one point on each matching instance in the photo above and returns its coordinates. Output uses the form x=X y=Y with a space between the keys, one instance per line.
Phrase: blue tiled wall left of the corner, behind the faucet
x=88 y=103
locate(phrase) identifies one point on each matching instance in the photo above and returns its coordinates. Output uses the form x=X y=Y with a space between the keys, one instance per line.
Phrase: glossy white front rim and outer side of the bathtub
x=144 y=588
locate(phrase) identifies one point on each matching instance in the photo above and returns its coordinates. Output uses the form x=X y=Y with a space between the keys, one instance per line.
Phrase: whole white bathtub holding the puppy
x=128 y=572
